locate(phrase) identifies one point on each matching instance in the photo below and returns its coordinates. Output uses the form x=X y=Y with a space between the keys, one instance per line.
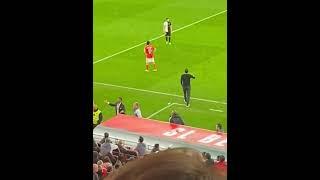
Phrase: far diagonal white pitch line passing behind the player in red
x=108 y=57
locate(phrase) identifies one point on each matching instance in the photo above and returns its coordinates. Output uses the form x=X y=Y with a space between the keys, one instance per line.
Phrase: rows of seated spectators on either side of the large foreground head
x=111 y=154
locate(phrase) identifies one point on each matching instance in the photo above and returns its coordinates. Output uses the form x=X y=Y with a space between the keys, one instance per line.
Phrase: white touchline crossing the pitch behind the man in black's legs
x=155 y=92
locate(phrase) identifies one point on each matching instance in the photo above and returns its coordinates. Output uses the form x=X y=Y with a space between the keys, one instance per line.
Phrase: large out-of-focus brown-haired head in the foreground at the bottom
x=173 y=164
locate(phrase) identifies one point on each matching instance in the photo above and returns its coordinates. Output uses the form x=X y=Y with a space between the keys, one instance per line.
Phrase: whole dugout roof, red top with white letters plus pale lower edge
x=129 y=128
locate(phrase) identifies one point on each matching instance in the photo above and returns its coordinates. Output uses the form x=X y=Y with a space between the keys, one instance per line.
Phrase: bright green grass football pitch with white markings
x=199 y=43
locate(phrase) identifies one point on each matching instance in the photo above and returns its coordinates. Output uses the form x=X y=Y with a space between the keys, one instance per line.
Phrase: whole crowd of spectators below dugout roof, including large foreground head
x=115 y=160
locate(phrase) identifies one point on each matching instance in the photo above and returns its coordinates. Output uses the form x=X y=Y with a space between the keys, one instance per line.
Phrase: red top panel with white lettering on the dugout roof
x=166 y=130
